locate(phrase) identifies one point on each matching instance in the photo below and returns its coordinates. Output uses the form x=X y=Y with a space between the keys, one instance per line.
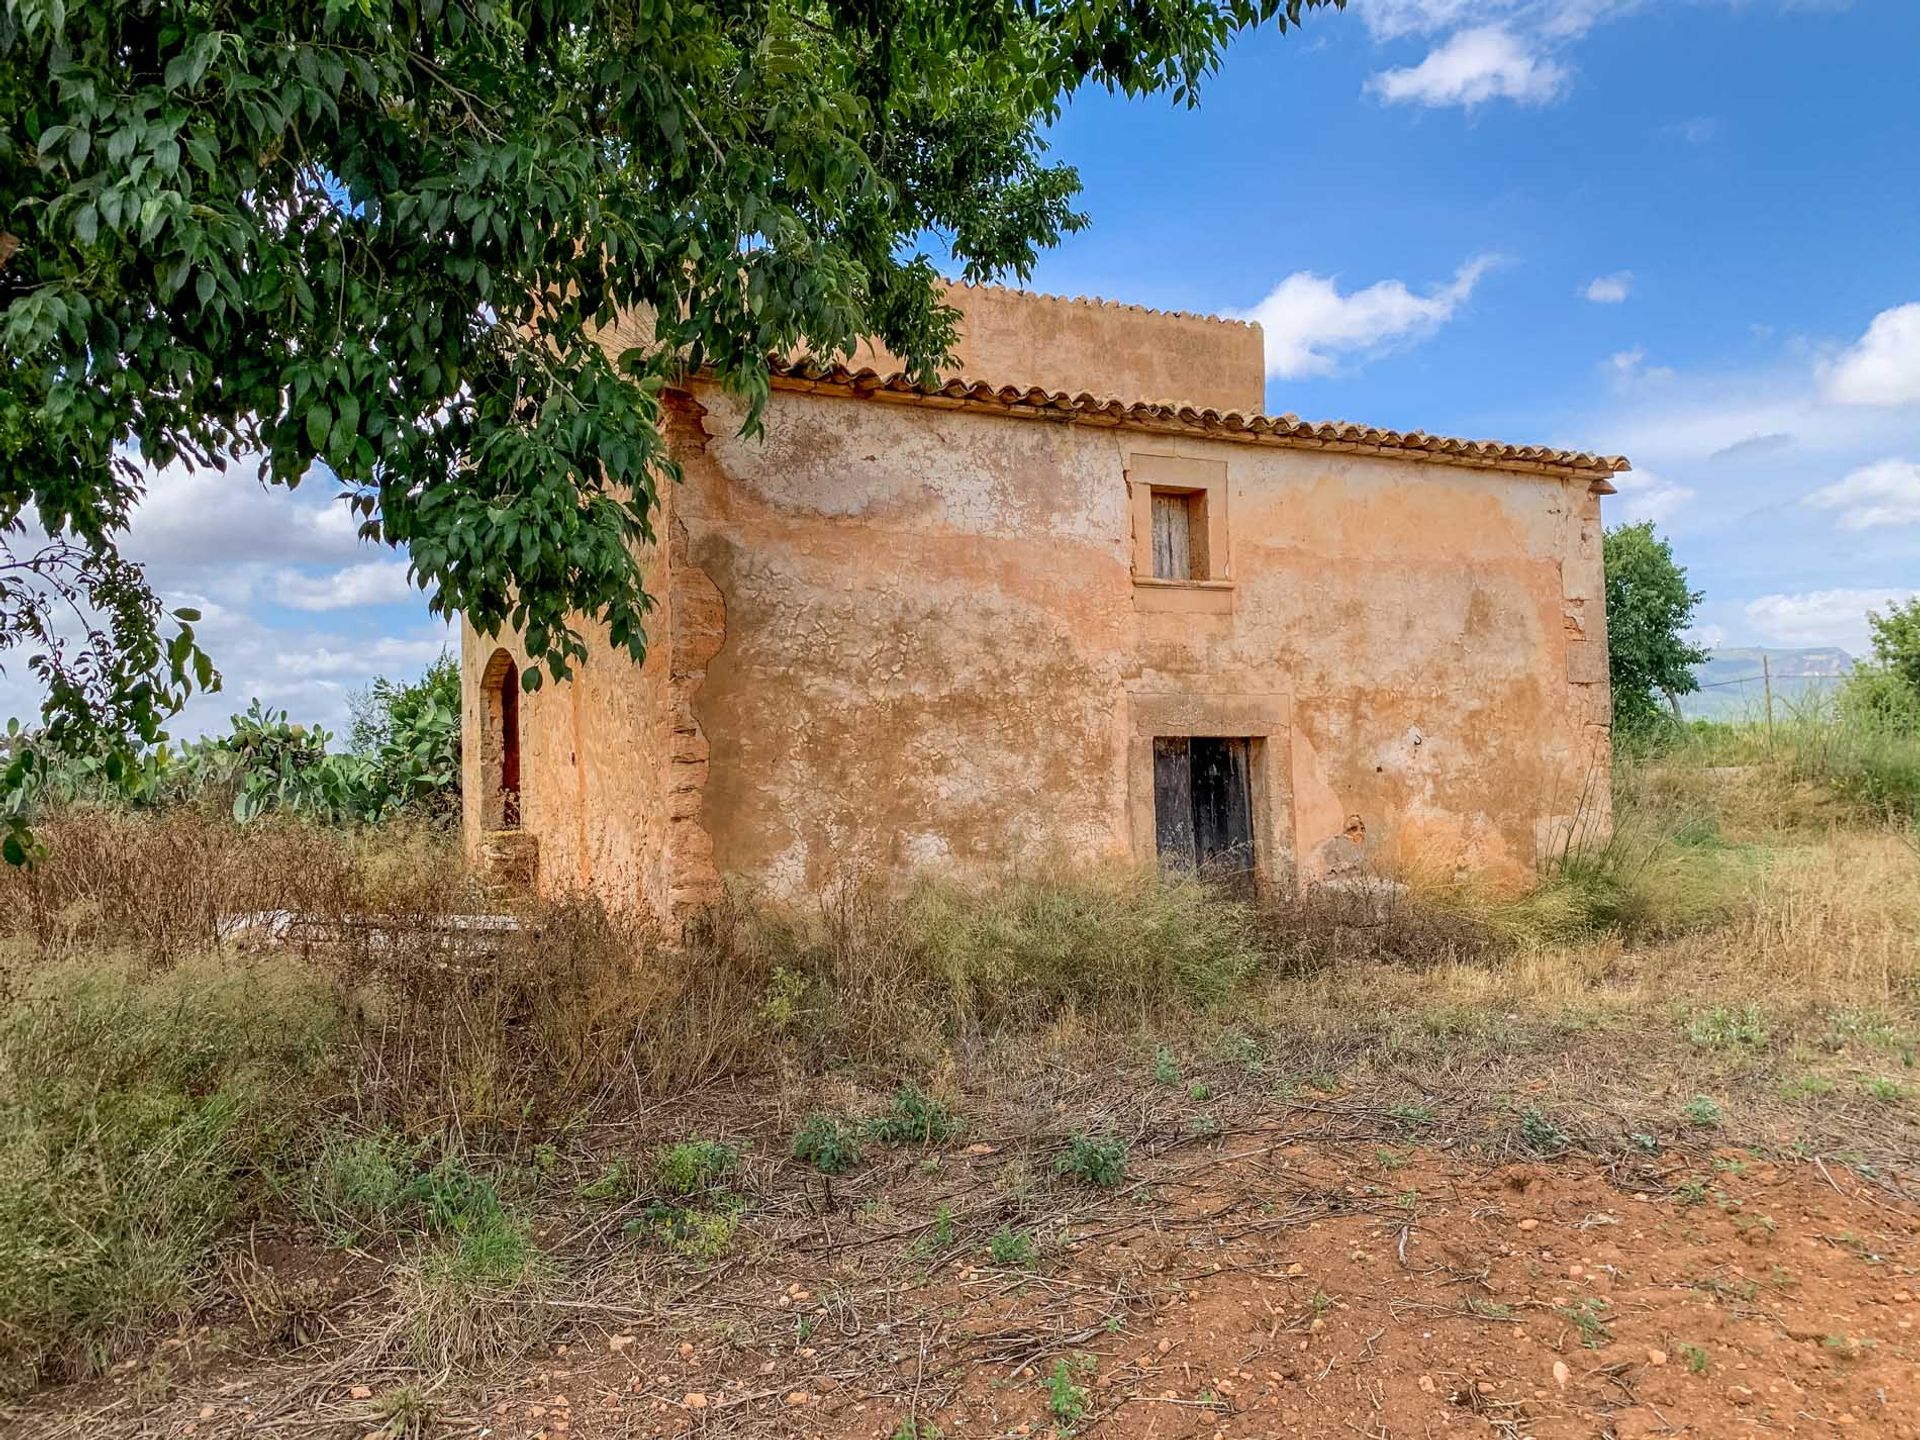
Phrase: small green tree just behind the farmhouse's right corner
x=1648 y=613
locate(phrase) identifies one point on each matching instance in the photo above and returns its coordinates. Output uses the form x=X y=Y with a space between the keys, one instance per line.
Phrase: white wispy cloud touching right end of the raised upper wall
x=1308 y=324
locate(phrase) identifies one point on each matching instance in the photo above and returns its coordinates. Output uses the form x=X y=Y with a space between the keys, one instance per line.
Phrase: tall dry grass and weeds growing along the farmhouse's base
x=174 y=1093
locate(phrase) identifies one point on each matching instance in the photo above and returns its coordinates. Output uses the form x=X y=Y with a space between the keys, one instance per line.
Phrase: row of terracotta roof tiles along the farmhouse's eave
x=1232 y=425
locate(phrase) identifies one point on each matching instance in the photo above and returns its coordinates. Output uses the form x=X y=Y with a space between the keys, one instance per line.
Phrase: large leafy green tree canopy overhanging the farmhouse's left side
x=454 y=252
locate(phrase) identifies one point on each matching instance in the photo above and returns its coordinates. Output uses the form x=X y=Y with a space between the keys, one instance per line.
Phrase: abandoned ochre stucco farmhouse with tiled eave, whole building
x=1082 y=602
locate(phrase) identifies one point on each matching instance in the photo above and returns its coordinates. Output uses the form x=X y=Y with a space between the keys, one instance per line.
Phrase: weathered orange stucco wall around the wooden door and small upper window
x=938 y=654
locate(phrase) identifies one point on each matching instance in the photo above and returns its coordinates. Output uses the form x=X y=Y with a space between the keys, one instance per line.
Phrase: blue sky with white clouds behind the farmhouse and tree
x=1687 y=231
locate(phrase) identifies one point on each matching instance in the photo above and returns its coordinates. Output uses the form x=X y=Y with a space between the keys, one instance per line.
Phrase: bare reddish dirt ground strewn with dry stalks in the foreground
x=1322 y=1268
